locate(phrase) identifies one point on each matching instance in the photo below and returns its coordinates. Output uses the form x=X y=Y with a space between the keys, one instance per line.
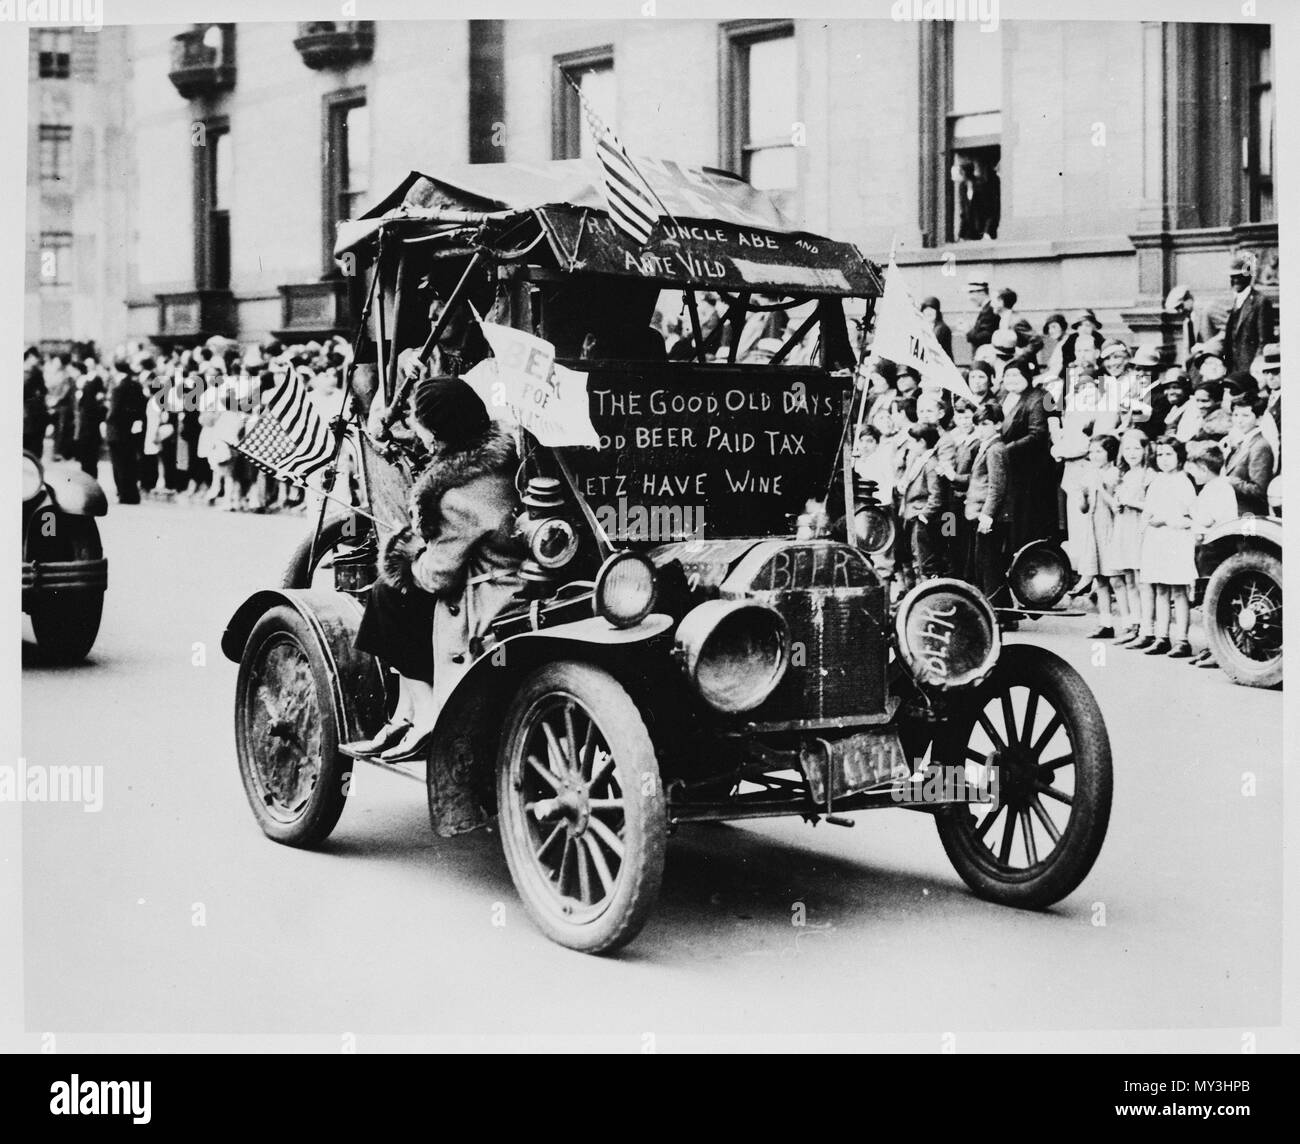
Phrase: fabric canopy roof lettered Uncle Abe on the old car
x=718 y=231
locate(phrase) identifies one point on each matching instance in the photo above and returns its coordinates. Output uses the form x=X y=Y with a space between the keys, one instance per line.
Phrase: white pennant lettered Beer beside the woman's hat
x=522 y=385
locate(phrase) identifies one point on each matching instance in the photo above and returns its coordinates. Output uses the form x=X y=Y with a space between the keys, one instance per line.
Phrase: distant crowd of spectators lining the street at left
x=168 y=421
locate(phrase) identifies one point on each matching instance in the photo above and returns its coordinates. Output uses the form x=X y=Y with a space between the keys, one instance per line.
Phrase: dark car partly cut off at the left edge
x=64 y=571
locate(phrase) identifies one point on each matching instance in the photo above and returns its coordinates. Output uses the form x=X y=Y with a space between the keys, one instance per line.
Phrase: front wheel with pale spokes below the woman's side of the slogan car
x=561 y=863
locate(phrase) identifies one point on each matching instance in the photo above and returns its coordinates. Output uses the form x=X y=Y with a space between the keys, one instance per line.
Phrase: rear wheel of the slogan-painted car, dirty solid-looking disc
x=285 y=718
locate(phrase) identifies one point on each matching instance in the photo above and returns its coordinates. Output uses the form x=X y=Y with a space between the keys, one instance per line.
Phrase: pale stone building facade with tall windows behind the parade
x=1085 y=164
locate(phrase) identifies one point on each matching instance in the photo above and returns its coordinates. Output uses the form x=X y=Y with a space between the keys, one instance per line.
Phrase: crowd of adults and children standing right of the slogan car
x=1124 y=456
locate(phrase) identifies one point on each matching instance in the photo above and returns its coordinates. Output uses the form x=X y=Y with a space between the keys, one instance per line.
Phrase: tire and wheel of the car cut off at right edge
x=1246 y=584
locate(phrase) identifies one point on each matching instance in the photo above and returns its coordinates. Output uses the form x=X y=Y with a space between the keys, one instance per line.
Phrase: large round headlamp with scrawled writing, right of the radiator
x=947 y=634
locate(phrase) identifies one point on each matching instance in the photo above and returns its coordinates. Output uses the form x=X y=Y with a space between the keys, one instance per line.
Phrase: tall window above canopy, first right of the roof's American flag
x=760 y=107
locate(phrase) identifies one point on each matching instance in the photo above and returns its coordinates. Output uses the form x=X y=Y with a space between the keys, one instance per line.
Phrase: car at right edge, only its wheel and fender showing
x=1240 y=567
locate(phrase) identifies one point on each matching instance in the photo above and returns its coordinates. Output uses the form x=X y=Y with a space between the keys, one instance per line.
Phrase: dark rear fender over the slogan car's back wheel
x=333 y=617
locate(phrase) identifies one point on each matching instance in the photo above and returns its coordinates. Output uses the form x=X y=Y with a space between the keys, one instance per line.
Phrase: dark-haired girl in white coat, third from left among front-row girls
x=1168 y=549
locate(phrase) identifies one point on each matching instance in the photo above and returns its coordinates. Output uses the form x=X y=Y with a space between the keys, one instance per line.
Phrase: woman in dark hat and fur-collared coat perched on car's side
x=447 y=575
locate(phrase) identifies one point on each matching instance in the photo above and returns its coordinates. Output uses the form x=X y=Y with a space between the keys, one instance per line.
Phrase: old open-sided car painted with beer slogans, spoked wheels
x=695 y=647
